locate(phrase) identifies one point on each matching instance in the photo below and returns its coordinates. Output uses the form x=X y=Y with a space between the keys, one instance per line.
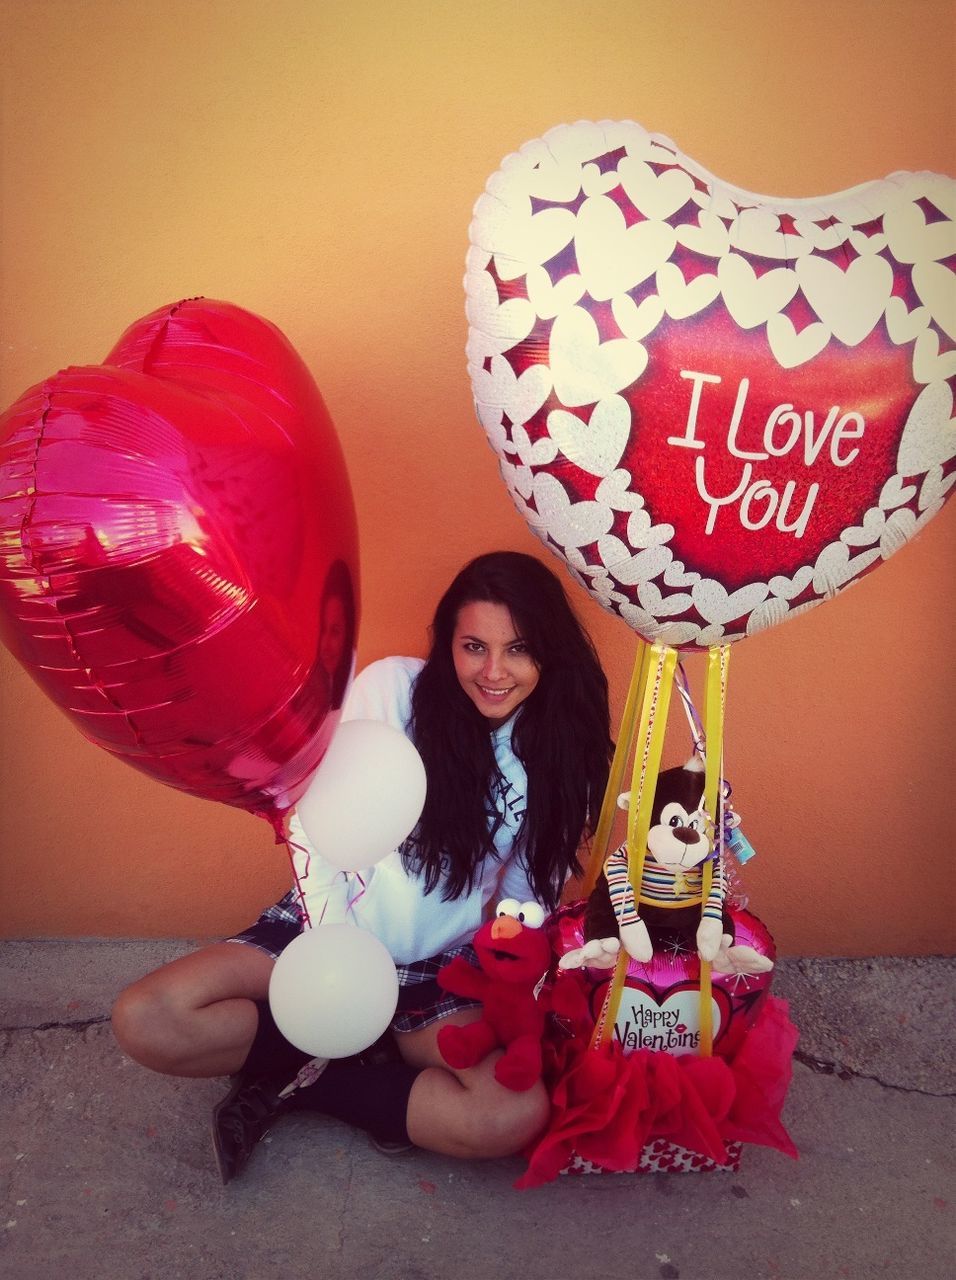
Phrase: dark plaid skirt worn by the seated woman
x=420 y=999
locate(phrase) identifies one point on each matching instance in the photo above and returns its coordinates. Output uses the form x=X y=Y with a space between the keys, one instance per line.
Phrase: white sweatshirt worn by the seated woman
x=394 y=906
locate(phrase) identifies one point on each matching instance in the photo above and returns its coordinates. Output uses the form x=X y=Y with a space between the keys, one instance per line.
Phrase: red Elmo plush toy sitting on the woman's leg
x=515 y=956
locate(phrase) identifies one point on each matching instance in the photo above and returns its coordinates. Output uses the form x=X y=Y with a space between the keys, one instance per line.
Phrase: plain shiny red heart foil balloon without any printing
x=179 y=555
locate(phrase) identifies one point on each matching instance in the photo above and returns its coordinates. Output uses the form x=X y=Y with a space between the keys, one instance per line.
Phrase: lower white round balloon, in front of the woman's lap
x=333 y=990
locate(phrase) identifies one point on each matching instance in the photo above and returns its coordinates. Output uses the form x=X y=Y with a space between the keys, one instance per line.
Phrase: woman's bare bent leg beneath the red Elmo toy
x=466 y=1113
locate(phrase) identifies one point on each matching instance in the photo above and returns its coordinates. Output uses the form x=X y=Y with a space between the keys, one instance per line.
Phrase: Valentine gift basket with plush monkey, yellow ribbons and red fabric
x=665 y=1049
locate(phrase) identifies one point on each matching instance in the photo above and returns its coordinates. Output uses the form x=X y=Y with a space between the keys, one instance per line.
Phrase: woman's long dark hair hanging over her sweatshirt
x=561 y=735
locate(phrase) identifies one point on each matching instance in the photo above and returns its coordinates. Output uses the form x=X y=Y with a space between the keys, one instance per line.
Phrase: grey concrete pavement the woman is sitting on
x=108 y=1172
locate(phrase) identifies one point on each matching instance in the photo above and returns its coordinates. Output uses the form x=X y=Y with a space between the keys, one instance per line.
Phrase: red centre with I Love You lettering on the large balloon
x=765 y=472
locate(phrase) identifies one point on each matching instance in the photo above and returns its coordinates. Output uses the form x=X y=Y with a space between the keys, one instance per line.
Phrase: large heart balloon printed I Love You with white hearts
x=720 y=409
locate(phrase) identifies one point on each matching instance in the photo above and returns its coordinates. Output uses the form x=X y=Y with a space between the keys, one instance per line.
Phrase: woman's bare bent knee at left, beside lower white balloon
x=196 y=1016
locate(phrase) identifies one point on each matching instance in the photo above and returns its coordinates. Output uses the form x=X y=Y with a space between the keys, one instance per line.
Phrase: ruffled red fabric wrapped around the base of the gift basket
x=607 y=1105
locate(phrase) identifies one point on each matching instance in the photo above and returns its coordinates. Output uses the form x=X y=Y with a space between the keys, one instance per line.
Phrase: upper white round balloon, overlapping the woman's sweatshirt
x=365 y=797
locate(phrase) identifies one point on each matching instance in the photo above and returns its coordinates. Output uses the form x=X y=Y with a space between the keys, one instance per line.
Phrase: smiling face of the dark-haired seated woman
x=492 y=662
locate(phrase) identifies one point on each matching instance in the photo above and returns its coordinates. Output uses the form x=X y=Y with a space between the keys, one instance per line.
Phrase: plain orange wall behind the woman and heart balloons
x=318 y=163
